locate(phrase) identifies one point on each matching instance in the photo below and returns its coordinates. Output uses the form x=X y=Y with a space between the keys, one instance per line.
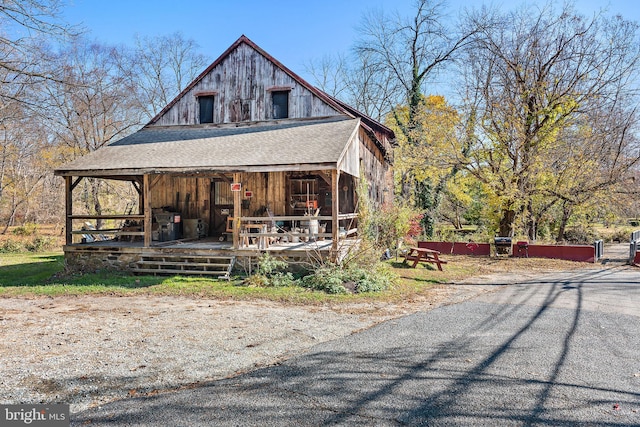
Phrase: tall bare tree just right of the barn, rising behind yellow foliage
x=410 y=52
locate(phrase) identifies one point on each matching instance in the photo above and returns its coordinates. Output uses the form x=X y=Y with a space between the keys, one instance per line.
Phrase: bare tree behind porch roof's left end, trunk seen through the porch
x=92 y=105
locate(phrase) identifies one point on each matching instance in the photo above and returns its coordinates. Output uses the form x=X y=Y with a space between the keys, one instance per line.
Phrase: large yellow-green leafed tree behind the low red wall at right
x=535 y=79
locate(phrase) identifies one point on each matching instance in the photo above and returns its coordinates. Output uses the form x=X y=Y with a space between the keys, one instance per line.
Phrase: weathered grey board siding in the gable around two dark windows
x=242 y=85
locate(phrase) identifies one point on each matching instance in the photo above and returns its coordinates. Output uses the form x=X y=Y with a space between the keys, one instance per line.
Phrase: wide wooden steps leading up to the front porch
x=184 y=264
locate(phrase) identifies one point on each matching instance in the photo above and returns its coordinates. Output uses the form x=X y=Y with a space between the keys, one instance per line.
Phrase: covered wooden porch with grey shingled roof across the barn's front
x=287 y=188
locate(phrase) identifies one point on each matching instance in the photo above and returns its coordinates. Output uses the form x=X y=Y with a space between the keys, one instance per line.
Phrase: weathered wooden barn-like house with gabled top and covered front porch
x=249 y=157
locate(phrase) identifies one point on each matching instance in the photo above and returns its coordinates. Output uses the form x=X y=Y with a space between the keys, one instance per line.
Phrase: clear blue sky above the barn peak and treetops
x=294 y=32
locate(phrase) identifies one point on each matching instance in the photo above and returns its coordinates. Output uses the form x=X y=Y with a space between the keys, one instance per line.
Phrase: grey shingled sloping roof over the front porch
x=286 y=145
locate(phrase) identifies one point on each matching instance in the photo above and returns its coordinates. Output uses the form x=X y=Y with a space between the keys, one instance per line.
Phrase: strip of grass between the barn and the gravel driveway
x=32 y=275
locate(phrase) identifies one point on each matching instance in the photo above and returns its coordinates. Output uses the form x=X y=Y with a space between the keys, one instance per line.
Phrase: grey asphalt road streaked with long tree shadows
x=562 y=350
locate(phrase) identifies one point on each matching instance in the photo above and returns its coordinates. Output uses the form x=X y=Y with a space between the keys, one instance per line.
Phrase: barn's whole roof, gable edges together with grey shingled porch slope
x=290 y=144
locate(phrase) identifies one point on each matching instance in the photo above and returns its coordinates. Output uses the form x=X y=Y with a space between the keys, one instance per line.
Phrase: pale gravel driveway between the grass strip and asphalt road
x=86 y=351
